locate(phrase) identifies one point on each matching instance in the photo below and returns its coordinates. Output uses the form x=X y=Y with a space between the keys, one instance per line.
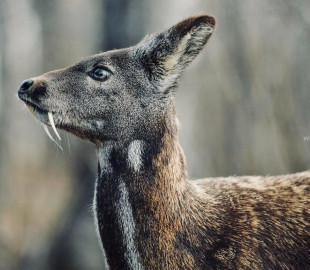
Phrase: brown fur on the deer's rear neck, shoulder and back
x=247 y=222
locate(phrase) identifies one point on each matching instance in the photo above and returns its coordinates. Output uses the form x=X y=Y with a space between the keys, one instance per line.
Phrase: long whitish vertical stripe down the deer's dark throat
x=127 y=226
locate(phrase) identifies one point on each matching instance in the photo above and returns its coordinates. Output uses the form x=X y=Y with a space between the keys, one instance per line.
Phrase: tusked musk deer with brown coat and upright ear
x=149 y=214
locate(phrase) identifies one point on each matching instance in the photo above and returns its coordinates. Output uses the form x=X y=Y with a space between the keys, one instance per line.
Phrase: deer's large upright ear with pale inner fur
x=166 y=54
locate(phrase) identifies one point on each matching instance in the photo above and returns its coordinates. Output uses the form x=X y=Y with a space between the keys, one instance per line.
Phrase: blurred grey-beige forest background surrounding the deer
x=243 y=106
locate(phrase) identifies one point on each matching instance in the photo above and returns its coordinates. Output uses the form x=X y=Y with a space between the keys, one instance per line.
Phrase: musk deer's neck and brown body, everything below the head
x=153 y=217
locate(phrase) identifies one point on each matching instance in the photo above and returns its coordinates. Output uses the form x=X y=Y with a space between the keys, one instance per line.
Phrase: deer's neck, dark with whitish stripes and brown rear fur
x=138 y=194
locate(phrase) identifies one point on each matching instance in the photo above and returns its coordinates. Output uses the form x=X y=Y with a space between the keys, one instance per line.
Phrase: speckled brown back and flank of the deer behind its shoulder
x=266 y=221
